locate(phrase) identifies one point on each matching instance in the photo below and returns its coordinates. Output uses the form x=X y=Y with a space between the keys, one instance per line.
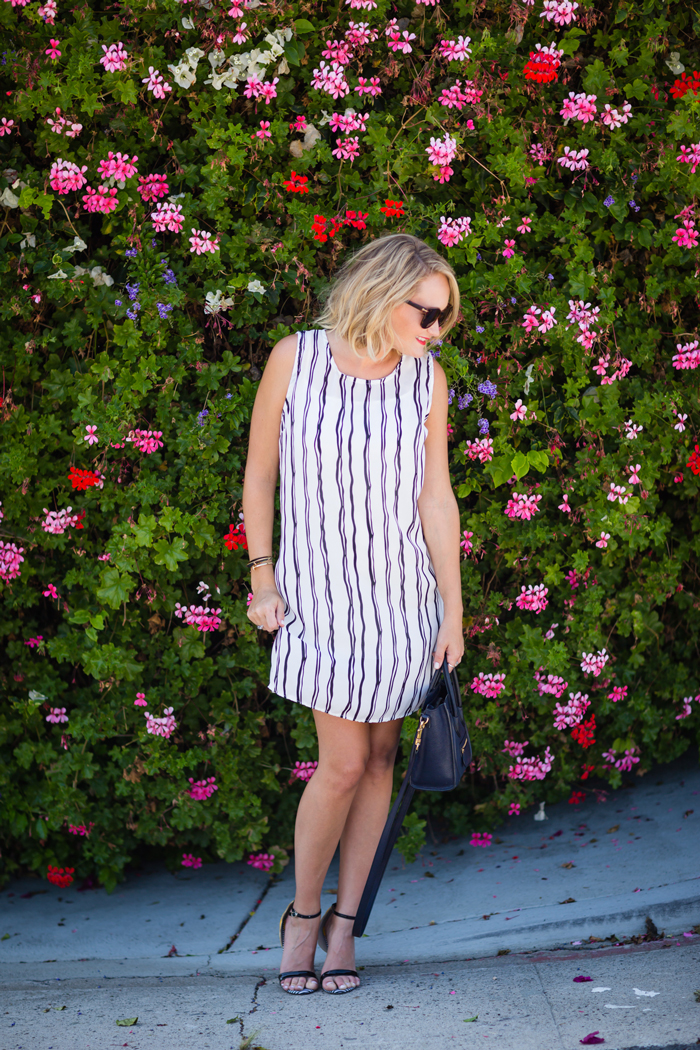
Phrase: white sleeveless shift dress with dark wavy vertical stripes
x=363 y=606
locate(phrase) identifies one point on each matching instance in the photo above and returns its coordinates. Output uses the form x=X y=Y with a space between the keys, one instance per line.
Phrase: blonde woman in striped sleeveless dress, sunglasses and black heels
x=366 y=595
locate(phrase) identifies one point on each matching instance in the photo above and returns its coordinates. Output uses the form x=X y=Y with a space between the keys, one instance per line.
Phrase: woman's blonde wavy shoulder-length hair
x=379 y=278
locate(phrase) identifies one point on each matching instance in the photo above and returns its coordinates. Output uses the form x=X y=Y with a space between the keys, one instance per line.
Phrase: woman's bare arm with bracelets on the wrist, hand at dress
x=261 y=481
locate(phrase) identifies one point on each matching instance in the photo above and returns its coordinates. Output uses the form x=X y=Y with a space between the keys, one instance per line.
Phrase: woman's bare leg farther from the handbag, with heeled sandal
x=344 y=752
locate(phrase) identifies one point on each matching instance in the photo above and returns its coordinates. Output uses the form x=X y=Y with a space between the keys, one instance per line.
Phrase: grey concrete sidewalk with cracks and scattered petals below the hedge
x=498 y=934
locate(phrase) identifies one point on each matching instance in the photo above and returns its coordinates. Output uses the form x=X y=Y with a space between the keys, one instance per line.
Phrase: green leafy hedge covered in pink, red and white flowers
x=179 y=182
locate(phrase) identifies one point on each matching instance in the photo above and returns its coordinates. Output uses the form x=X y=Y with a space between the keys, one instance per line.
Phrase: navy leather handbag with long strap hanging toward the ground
x=440 y=755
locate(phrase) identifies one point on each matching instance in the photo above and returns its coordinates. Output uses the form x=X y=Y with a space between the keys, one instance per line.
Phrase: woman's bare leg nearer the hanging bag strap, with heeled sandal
x=360 y=838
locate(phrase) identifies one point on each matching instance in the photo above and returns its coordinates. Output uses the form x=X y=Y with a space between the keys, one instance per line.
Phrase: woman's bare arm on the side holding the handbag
x=440 y=518
